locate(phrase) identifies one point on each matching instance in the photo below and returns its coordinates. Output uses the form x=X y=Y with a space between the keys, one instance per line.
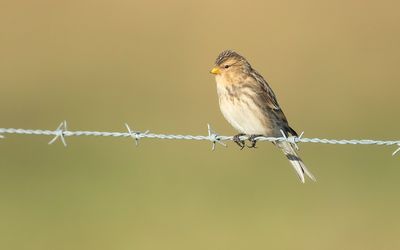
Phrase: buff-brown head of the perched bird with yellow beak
x=230 y=65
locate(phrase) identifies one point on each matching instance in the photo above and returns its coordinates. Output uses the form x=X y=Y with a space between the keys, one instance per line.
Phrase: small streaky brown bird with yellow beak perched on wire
x=250 y=106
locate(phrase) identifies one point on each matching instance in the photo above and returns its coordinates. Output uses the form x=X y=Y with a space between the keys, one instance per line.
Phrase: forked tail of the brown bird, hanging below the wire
x=295 y=160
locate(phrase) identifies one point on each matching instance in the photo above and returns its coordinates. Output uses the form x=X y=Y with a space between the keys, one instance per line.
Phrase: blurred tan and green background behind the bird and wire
x=98 y=64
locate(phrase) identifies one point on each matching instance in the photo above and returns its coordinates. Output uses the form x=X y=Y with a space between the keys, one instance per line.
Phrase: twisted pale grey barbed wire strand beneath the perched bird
x=61 y=132
